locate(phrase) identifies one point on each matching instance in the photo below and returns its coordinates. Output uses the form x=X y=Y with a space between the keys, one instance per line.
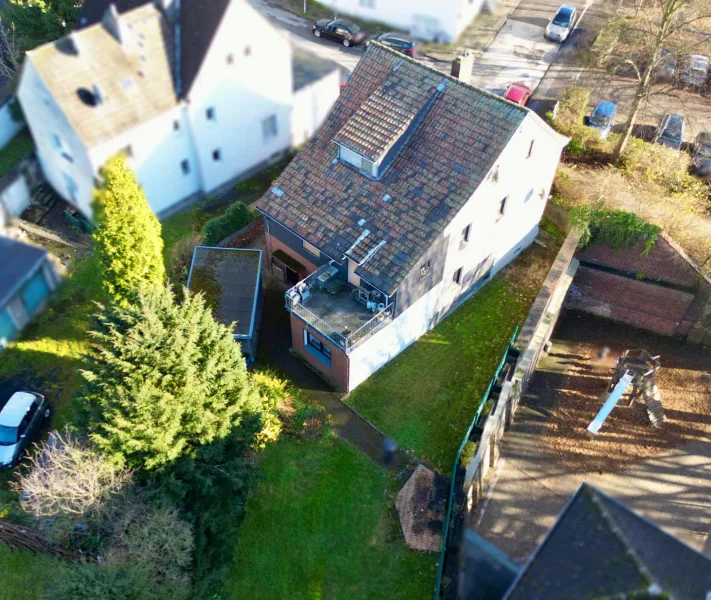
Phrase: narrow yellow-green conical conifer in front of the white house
x=127 y=239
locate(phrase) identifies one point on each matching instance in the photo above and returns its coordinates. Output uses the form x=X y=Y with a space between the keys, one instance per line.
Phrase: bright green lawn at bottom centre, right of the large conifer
x=321 y=524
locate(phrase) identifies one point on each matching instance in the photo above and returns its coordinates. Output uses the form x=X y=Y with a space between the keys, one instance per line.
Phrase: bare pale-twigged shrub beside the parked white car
x=65 y=477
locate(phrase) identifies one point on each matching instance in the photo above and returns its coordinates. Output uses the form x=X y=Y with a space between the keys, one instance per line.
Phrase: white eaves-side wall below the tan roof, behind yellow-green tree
x=158 y=150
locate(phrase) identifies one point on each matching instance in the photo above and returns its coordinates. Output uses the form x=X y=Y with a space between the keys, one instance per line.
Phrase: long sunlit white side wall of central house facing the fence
x=501 y=238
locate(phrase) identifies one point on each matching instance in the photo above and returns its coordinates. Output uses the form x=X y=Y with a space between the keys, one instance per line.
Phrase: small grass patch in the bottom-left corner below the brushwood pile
x=24 y=575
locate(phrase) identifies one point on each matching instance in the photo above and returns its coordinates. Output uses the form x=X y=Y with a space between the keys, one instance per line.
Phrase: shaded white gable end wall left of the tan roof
x=72 y=179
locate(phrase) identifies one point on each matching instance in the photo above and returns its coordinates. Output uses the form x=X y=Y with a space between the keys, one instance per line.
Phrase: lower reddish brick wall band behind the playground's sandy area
x=636 y=303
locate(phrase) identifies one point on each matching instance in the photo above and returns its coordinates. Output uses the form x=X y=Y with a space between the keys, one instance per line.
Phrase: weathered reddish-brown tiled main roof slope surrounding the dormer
x=430 y=178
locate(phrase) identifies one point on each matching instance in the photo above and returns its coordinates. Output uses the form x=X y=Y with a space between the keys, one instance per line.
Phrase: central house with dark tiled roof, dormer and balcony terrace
x=415 y=191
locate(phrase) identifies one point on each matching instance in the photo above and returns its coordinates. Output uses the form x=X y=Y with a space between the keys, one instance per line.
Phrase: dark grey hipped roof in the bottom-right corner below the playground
x=599 y=548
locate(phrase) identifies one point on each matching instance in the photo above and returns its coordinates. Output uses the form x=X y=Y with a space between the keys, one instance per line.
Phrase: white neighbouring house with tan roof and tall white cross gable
x=195 y=94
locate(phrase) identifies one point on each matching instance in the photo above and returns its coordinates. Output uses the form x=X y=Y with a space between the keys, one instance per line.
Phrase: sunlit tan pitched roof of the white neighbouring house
x=134 y=75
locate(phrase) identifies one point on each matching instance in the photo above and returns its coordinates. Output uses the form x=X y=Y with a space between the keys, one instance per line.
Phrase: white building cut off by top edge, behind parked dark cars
x=431 y=20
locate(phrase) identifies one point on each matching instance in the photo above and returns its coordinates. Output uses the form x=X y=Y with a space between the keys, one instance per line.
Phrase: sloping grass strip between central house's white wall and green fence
x=426 y=397
